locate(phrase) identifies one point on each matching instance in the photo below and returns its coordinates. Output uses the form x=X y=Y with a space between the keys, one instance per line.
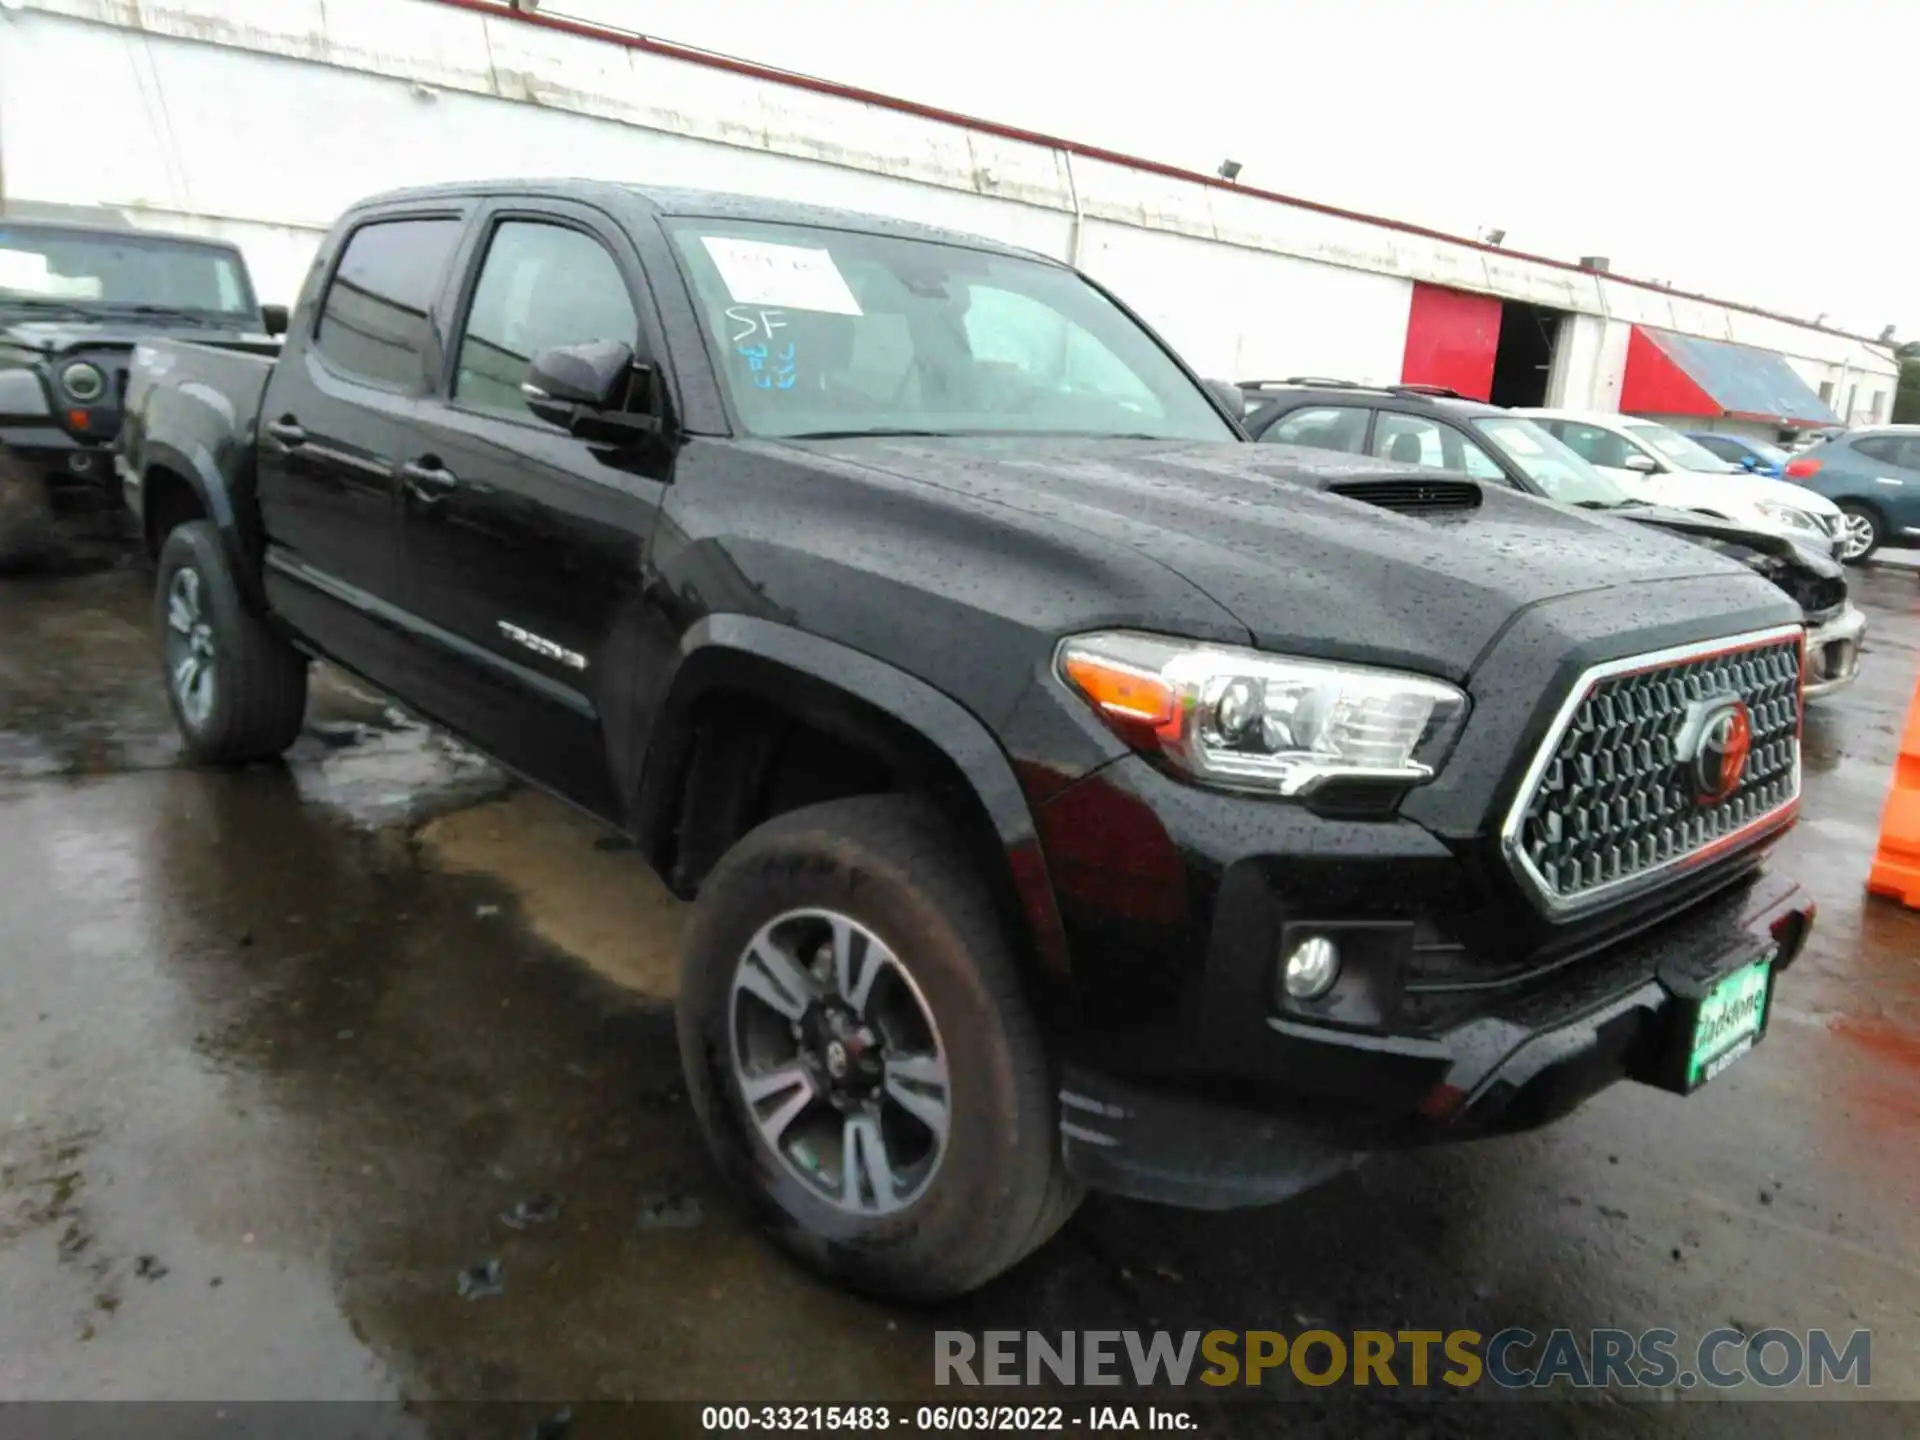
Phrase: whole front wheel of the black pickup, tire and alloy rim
x=861 y=1055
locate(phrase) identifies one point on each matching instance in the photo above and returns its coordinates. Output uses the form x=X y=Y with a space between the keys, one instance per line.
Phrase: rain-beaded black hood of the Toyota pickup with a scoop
x=1308 y=571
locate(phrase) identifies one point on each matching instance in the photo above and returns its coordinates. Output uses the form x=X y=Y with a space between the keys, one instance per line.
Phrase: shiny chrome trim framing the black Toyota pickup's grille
x=1514 y=830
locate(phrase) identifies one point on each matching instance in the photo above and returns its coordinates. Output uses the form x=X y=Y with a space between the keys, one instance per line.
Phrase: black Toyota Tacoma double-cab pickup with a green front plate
x=1070 y=792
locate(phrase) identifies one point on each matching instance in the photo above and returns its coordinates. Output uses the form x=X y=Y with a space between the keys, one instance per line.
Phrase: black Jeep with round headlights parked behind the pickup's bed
x=74 y=304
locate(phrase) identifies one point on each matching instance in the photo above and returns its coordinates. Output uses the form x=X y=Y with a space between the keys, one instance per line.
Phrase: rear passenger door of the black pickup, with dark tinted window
x=335 y=423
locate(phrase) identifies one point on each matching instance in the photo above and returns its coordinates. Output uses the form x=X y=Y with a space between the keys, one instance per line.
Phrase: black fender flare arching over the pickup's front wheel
x=928 y=713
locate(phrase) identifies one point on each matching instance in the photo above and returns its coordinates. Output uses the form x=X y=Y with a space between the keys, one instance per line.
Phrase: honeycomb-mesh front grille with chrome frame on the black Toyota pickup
x=1616 y=796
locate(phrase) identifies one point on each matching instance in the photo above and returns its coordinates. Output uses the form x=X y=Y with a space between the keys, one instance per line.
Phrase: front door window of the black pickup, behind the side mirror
x=540 y=287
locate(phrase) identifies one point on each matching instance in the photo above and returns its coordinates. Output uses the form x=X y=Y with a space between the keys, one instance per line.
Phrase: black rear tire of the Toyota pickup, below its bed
x=258 y=684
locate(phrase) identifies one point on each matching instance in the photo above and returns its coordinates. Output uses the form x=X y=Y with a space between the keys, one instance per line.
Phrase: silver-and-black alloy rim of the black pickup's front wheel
x=840 y=1063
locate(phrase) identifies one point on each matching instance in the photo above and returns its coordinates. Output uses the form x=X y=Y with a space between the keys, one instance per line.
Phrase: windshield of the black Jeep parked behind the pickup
x=91 y=270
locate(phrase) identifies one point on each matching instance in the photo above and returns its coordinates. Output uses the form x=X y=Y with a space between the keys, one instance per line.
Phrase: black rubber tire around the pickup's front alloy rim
x=894 y=867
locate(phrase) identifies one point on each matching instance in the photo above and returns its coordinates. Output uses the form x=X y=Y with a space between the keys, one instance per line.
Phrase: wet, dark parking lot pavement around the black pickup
x=277 y=1051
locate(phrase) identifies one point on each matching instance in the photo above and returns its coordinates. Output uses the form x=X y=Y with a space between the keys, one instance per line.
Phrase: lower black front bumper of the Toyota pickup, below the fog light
x=1520 y=1065
